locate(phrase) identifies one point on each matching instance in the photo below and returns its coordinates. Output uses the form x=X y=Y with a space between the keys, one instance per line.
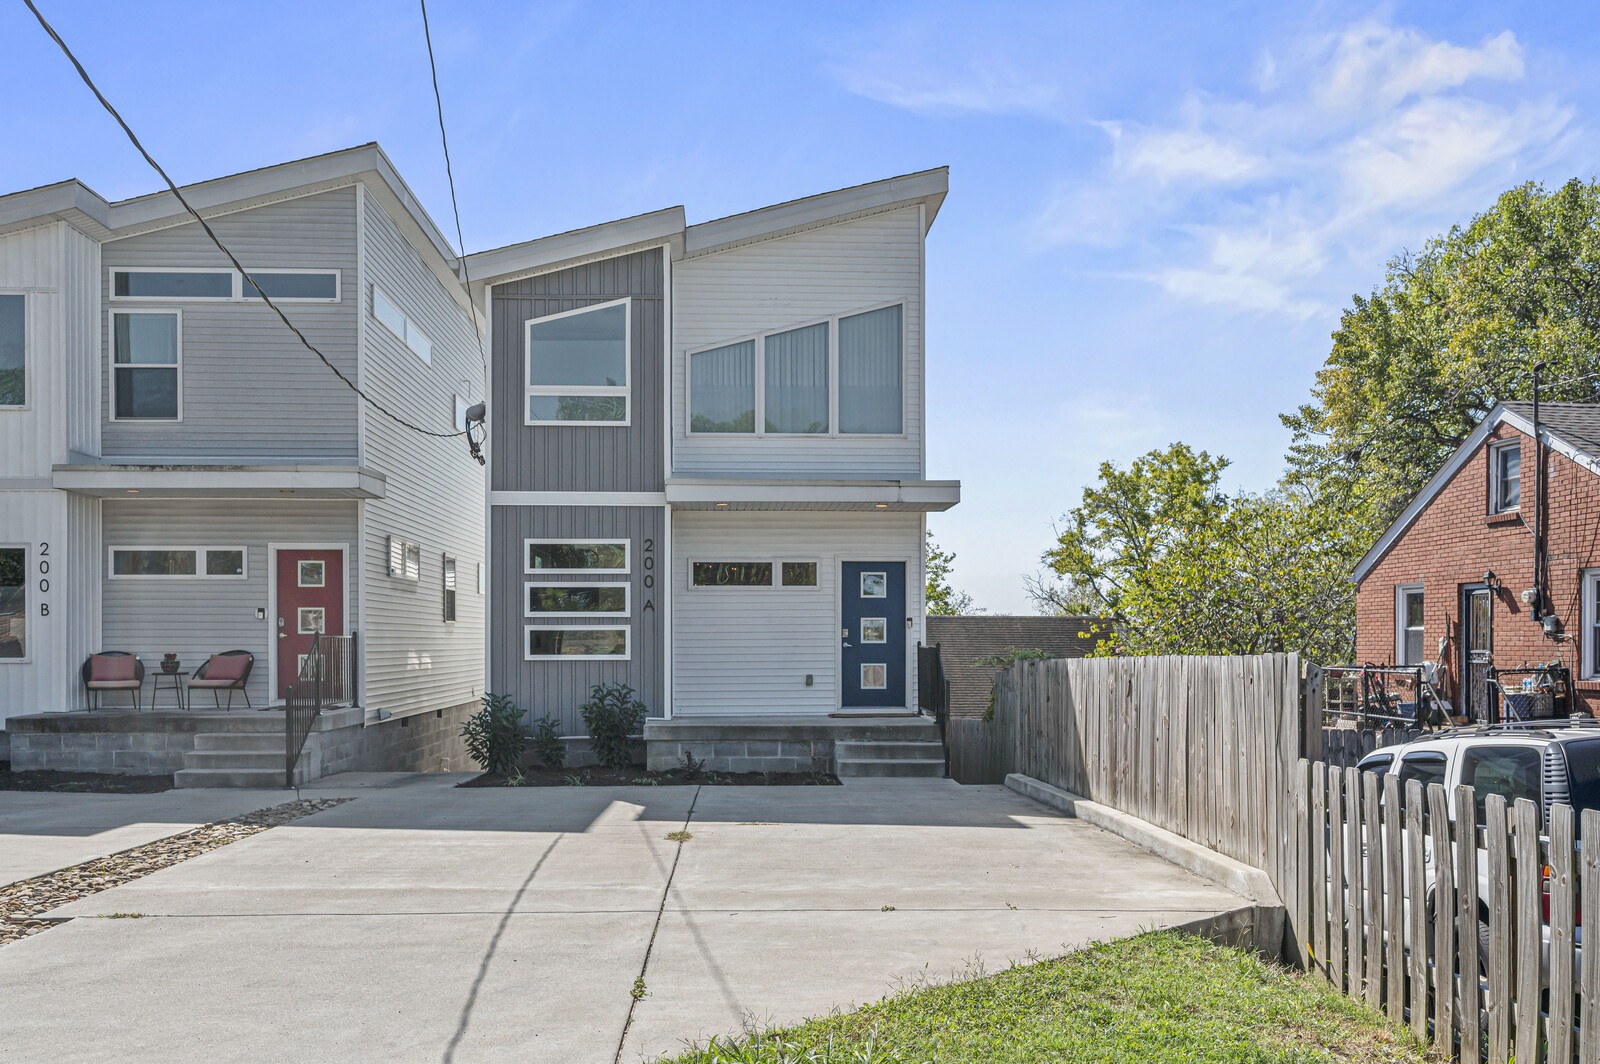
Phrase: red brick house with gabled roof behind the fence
x=1458 y=582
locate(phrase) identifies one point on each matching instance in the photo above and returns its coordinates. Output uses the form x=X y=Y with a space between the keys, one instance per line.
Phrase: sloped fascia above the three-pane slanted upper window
x=929 y=186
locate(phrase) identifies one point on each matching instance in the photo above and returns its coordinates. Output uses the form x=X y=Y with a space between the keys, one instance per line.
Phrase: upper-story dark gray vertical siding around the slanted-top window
x=582 y=458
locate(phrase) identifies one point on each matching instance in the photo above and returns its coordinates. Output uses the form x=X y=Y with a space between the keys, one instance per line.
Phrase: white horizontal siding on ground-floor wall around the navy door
x=750 y=650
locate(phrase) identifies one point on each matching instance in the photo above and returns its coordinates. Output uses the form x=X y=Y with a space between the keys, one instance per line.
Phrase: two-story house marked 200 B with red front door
x=182 y=476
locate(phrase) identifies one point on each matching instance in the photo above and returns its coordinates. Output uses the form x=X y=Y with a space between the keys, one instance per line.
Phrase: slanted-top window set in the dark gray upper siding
x=578 y=367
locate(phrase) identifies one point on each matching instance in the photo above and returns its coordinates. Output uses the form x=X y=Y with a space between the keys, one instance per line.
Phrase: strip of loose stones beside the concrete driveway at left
x=22 y=903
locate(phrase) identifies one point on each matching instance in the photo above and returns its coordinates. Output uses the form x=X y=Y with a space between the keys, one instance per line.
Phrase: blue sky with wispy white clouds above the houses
x=1156 y=210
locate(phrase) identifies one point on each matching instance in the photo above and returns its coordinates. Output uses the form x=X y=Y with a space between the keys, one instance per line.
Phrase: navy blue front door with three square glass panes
x=873 y=639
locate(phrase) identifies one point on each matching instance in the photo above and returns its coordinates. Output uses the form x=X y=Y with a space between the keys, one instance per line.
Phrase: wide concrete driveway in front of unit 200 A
x=431 y=924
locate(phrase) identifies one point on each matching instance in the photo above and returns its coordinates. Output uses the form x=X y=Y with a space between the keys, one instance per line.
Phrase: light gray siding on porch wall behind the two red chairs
x=196 y=618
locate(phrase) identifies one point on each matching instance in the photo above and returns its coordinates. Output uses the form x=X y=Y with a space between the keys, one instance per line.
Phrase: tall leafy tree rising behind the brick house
x=1454 y=330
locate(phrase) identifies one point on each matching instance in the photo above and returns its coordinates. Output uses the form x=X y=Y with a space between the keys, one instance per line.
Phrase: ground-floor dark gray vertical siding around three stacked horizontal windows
x=558 y=689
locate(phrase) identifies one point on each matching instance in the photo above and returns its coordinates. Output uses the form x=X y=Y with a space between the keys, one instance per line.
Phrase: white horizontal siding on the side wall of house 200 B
x=414 y=660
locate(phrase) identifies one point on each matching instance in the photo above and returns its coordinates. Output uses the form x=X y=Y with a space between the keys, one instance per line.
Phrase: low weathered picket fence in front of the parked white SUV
x=1487 y=964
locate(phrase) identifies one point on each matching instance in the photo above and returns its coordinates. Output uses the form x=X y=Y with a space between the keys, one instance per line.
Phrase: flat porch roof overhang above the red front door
x=222 y=482
